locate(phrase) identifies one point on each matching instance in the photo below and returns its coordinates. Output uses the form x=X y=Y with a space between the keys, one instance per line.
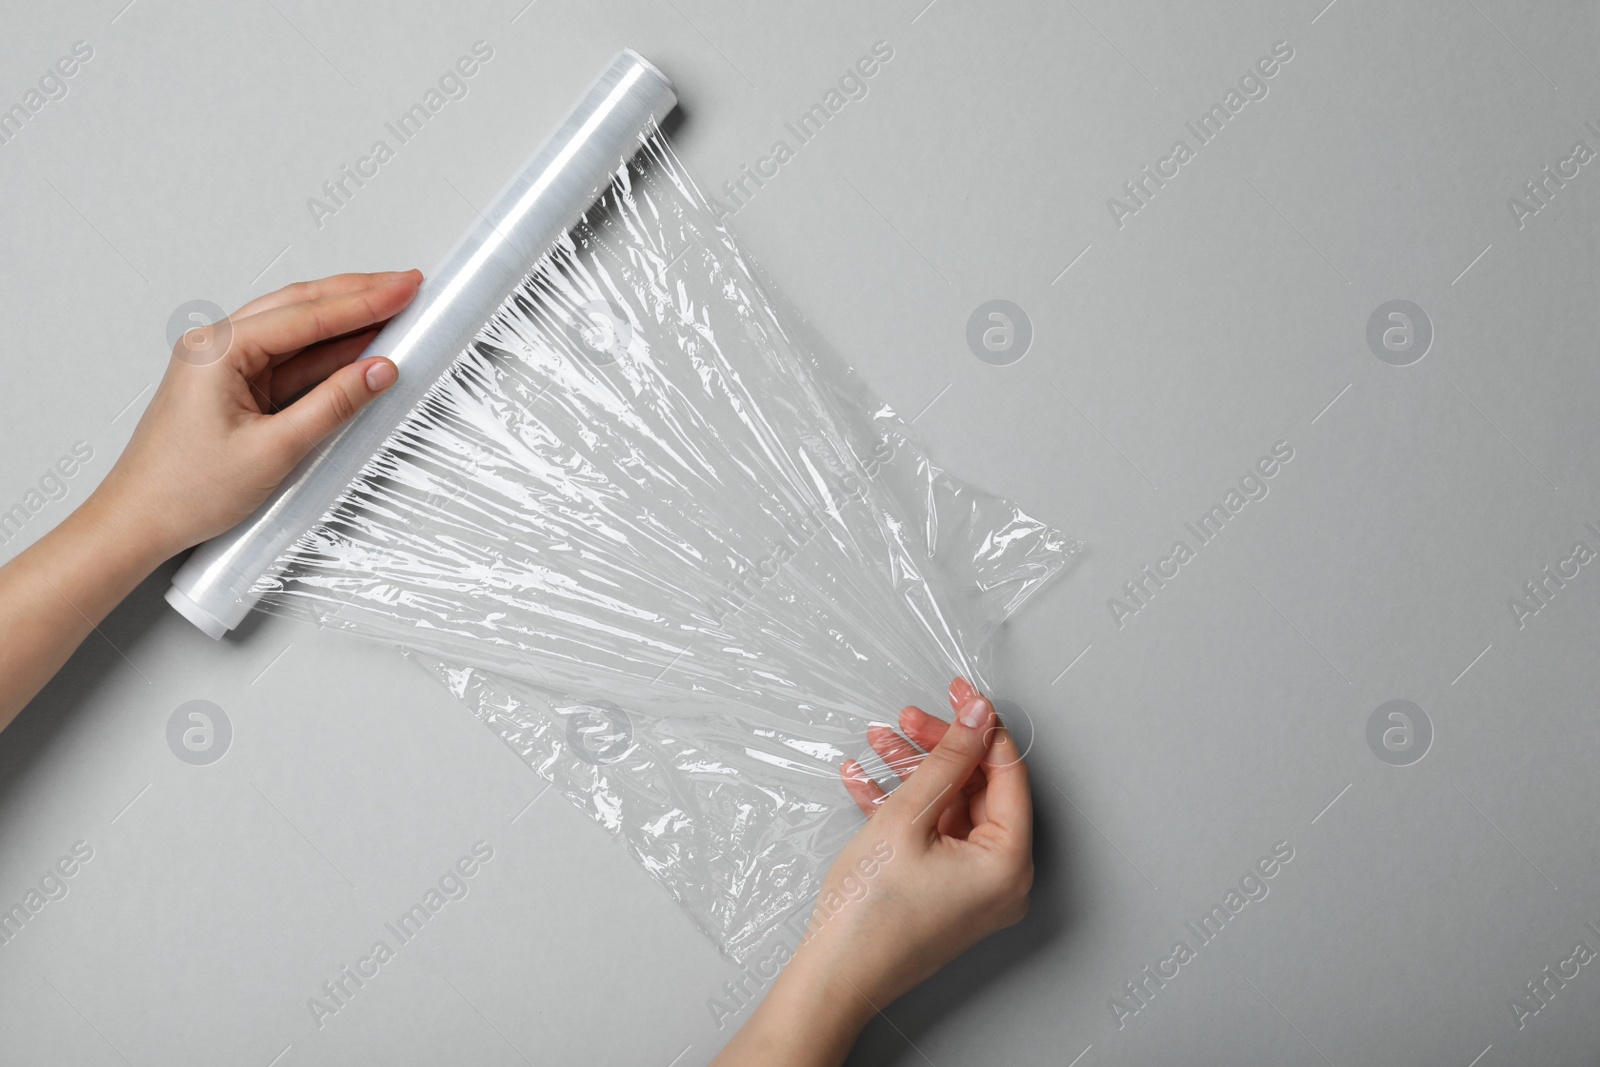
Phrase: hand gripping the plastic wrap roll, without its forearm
x=225 y=426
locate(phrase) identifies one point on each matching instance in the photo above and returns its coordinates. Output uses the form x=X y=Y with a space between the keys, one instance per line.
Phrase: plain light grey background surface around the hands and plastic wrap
x=1170 y=754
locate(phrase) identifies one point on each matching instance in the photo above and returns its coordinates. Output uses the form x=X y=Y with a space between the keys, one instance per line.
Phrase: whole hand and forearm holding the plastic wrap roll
x=223 y=430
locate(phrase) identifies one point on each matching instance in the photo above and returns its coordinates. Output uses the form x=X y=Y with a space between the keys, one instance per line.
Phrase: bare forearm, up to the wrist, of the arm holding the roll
x=60 y=589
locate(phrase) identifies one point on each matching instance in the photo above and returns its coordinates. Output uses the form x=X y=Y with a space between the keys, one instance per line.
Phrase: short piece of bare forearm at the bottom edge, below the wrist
x=810 y=1018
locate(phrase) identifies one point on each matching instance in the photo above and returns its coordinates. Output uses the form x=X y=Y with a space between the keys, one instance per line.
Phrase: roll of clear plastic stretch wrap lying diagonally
x=548 y=196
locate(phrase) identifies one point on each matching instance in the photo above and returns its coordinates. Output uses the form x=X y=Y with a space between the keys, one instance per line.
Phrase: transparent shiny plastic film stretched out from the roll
x=671 y=556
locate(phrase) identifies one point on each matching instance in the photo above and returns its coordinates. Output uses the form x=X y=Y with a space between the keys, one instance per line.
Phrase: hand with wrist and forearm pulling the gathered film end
x=945 y=861
